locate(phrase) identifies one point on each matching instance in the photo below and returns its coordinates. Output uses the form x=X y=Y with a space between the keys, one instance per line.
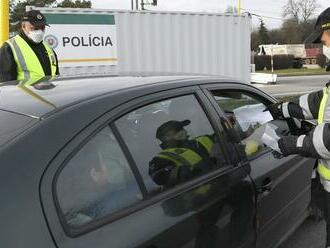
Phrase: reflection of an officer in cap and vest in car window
x=181 y=158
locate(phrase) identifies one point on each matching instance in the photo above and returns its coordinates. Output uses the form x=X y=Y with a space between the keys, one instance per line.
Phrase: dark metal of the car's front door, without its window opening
x=288 y=181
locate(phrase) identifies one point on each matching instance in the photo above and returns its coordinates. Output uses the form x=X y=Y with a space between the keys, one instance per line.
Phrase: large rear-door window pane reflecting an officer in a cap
x=171 y=141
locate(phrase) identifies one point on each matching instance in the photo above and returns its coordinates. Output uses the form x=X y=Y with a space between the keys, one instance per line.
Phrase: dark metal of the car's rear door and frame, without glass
x=229 y=207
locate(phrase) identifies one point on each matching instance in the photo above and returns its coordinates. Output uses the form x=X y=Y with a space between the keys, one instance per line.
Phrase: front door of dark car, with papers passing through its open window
x=282 y=183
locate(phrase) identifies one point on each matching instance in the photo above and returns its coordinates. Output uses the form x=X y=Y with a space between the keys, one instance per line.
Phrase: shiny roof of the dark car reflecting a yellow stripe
x=49 y=96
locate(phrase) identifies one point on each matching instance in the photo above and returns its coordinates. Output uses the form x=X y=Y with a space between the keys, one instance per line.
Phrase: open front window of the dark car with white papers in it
x=247 y=115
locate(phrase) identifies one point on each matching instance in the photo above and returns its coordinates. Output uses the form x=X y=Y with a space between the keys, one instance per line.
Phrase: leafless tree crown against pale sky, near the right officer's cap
x=300 y=10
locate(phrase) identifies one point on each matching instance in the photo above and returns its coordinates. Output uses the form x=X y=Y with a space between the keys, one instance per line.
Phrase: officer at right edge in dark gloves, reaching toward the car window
x=316 y=105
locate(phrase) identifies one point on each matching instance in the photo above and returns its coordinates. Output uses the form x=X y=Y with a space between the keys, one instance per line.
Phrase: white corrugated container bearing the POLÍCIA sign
x=121 y=42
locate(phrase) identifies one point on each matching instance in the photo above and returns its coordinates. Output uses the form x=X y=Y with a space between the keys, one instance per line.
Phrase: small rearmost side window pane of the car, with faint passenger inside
x=96 y=182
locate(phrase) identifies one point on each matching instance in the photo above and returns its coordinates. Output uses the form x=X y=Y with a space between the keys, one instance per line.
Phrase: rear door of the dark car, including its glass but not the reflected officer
x=213 y=209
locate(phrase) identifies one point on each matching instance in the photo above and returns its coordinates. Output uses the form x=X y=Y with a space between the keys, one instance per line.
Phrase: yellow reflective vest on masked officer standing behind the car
x=28 y=64
